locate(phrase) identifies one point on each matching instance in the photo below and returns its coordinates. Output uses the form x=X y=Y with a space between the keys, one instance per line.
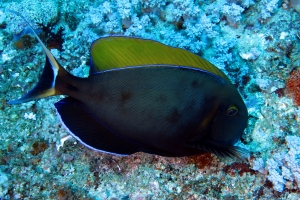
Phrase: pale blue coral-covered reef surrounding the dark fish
x=256 y=43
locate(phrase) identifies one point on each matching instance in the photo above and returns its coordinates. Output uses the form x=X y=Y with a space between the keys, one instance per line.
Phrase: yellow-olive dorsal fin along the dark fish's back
x=121 y=51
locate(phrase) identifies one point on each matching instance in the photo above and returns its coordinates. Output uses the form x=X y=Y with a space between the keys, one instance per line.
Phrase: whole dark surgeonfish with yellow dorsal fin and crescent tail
x=145 y=96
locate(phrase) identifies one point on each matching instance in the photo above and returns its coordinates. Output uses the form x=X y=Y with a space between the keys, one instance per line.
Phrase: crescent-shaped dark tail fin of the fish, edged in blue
x=46 y=85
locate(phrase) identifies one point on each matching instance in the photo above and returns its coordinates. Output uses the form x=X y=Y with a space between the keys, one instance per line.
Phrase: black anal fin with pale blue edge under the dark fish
x=90 y=131
